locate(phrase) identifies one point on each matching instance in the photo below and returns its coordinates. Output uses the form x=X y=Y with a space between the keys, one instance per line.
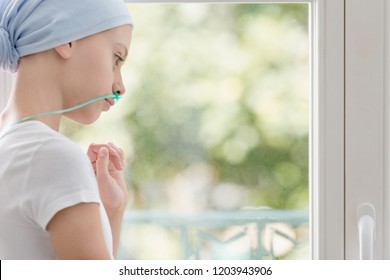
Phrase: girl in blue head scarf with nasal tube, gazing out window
x=55 y=201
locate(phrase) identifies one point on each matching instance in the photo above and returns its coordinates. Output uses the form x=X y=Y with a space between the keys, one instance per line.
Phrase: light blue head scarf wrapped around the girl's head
x=32 y=26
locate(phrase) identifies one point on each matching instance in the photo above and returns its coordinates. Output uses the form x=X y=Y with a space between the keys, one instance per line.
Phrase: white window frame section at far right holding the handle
x=367 y=124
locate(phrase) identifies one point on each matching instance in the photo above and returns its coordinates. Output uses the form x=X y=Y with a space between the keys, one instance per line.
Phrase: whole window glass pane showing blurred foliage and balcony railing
x=215 y=125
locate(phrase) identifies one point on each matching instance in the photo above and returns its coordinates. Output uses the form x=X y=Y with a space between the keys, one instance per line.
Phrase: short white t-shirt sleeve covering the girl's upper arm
x=60 y=176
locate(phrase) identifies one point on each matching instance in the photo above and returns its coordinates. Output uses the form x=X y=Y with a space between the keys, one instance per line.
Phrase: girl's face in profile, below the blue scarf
x=95 y=70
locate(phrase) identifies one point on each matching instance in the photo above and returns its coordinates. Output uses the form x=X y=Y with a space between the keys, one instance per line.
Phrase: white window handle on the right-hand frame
x=366 y=225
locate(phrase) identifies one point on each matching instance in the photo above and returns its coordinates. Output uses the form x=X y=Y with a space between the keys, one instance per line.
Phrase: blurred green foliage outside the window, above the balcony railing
x=217 y=104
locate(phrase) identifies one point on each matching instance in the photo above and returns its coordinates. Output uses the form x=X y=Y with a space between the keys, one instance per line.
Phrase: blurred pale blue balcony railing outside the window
x=243 y=234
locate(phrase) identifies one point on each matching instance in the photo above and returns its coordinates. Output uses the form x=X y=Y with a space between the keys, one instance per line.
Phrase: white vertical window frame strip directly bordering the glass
x=327 y=135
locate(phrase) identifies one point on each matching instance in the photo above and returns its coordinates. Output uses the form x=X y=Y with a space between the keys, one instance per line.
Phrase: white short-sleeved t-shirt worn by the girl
x=41 y=173
